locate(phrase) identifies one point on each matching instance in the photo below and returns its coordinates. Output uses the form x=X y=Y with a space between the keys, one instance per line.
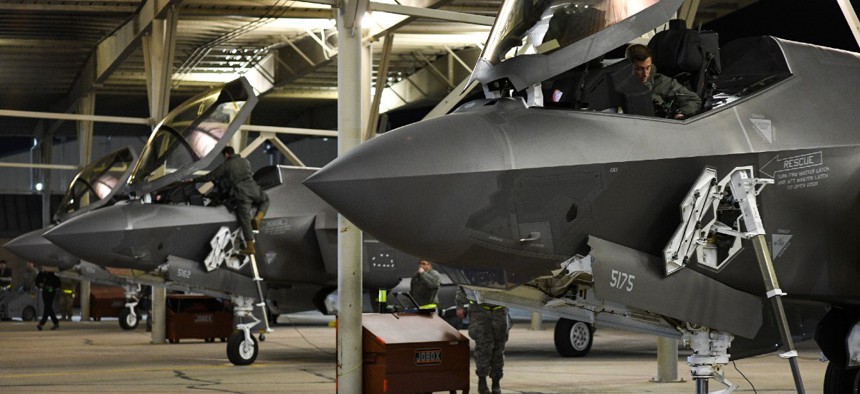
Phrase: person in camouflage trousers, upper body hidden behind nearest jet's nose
x=488 y=327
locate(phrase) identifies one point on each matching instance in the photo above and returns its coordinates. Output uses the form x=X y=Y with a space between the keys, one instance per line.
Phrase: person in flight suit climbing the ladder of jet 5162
x=235 y=176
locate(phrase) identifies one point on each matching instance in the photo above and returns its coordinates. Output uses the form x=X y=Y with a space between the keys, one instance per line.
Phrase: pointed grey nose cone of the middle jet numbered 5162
x=94 y=236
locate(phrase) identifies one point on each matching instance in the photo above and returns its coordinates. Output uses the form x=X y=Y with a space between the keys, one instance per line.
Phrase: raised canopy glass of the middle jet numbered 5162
x=190 y=137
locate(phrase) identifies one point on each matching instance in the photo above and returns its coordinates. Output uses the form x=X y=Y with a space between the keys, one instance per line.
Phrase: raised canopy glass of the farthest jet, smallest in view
x=97 y=182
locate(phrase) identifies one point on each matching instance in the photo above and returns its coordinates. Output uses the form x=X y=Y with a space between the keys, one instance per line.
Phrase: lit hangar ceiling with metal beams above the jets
x=54 y=52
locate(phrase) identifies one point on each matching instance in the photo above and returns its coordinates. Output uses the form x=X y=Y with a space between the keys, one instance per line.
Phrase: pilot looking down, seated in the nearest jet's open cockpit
x=671 y=99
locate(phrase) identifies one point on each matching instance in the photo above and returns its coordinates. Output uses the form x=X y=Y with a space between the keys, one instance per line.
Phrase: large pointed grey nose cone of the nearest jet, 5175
x=415 y=188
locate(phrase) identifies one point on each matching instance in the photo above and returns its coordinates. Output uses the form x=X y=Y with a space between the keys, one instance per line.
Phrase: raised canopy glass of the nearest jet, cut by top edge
x=543 y=38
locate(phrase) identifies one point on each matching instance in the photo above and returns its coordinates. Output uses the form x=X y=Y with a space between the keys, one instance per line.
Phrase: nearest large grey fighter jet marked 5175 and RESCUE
x=560 y=191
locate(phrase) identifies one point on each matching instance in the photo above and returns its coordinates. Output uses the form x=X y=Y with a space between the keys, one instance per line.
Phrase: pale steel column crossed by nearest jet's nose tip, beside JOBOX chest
x=349 y=357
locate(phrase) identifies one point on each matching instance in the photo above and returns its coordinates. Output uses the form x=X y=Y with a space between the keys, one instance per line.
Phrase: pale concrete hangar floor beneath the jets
x=300 y=357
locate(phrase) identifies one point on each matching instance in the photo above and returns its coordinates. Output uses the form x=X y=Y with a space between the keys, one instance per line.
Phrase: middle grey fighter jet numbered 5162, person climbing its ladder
x=170 y=229
